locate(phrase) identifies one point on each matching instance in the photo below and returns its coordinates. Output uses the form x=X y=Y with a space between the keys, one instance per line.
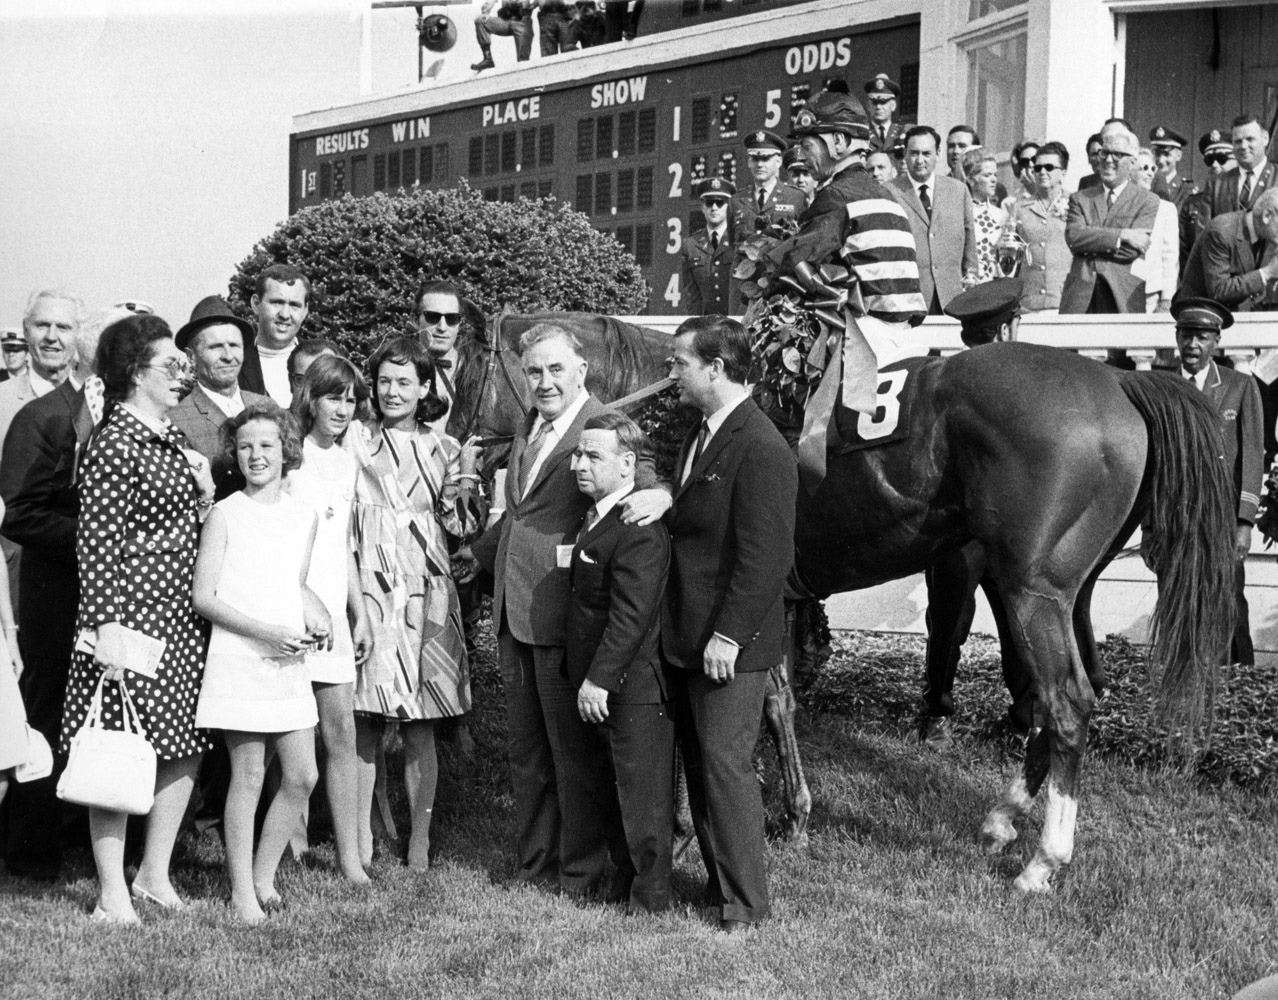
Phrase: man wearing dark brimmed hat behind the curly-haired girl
x=214 y=340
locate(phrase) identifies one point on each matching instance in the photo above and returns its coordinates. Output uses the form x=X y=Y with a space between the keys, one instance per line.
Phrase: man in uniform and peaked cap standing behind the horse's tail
x=1199 y=323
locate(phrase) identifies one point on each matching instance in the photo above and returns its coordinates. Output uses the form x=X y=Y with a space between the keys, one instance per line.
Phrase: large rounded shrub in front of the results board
x=366 y=256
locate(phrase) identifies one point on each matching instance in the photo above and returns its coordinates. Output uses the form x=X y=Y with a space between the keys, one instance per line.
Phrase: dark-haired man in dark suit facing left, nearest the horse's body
x=732 y=534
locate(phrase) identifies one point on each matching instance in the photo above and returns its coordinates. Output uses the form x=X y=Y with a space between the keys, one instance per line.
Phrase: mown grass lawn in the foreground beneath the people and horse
x=1171 y=895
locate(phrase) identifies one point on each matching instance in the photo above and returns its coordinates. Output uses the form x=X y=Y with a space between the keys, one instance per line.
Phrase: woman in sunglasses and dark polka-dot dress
x=141 y=496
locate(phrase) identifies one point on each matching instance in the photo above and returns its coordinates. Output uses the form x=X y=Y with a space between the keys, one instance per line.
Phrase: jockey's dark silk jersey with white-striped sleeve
x=856 y=221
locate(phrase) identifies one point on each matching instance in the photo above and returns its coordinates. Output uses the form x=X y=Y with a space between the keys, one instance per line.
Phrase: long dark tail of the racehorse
x=1189 y=529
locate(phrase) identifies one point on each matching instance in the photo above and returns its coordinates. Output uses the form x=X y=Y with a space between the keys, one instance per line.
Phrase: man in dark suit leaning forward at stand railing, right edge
x=1236 y=259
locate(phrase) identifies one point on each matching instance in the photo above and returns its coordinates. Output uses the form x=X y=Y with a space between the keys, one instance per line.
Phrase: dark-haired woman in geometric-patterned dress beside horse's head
x=407 y=504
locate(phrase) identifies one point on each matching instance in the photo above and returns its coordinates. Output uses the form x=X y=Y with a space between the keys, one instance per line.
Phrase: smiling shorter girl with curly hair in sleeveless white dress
x=255 y=554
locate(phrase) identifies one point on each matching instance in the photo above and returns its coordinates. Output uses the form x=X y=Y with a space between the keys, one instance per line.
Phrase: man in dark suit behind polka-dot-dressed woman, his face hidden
x=42 y=512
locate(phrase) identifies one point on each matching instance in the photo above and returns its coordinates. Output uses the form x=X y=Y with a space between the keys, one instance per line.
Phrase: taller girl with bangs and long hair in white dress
x=325 y=406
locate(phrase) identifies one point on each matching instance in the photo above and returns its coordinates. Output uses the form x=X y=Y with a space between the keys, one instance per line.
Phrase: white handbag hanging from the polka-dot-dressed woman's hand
x=111 y=769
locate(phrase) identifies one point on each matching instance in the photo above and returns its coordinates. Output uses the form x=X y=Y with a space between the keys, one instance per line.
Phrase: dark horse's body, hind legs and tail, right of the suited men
x=1045 y=464
